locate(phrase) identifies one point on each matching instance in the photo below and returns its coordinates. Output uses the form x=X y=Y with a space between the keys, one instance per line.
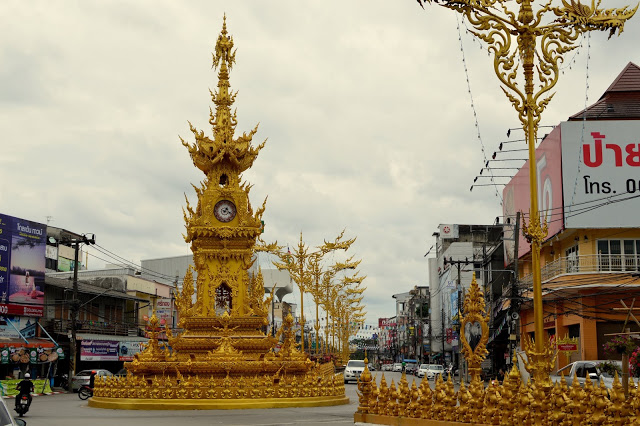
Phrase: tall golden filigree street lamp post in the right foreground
x=538 y=50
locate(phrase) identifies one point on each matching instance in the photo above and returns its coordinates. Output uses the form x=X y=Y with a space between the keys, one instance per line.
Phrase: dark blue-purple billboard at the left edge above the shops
x=22 y=265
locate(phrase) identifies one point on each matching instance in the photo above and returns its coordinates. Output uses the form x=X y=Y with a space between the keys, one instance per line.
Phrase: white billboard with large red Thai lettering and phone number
x=601 y=174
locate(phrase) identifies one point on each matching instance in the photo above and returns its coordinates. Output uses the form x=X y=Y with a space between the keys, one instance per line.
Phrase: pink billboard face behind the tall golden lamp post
x=516 y=195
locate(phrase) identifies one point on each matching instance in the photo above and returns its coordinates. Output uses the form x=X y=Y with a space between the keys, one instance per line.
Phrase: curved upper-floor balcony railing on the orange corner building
x=595 y=263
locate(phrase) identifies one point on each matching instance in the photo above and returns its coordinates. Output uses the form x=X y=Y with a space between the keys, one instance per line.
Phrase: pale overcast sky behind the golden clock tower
x=365 y=106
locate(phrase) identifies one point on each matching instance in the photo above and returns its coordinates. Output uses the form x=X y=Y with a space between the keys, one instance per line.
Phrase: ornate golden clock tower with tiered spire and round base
x=223 y=357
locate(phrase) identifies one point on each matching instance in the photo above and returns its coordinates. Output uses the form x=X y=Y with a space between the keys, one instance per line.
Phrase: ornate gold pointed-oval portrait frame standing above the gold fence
x=474 y=331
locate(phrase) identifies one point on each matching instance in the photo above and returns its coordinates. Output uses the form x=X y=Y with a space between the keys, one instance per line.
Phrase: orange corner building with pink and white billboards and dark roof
x=589 y=194
